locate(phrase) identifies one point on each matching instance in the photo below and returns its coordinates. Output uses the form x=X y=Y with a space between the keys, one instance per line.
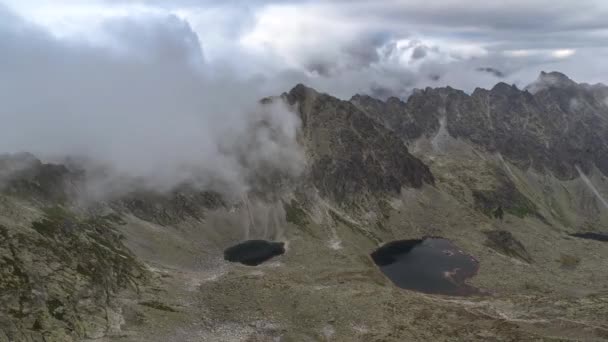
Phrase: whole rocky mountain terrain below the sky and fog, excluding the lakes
x=506 y=175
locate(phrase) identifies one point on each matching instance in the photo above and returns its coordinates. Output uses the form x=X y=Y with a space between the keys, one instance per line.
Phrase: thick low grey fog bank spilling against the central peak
x=145 y=104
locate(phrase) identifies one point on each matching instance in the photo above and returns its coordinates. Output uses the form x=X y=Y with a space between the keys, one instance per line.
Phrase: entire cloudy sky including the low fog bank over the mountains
x=169 y=89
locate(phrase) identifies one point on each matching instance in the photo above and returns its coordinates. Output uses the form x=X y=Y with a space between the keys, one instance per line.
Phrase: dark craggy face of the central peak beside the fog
x=350 y=155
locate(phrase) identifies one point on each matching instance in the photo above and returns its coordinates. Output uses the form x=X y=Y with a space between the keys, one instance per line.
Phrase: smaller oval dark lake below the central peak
x=254 y=252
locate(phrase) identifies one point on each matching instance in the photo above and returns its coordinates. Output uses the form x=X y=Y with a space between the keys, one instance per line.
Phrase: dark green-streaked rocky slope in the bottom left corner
x=89 y=265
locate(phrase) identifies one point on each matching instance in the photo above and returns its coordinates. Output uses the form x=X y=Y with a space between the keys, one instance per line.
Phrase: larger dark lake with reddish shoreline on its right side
x=430 y=265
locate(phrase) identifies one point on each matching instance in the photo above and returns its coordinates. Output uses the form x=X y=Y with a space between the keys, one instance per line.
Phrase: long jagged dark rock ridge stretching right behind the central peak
x=554 y=125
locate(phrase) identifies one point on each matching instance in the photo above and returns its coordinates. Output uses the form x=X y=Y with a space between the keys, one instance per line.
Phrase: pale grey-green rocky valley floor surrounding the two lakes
x=326 y=287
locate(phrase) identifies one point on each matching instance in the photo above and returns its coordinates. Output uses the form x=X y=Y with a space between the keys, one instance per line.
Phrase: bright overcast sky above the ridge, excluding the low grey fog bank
x=379 y=47
